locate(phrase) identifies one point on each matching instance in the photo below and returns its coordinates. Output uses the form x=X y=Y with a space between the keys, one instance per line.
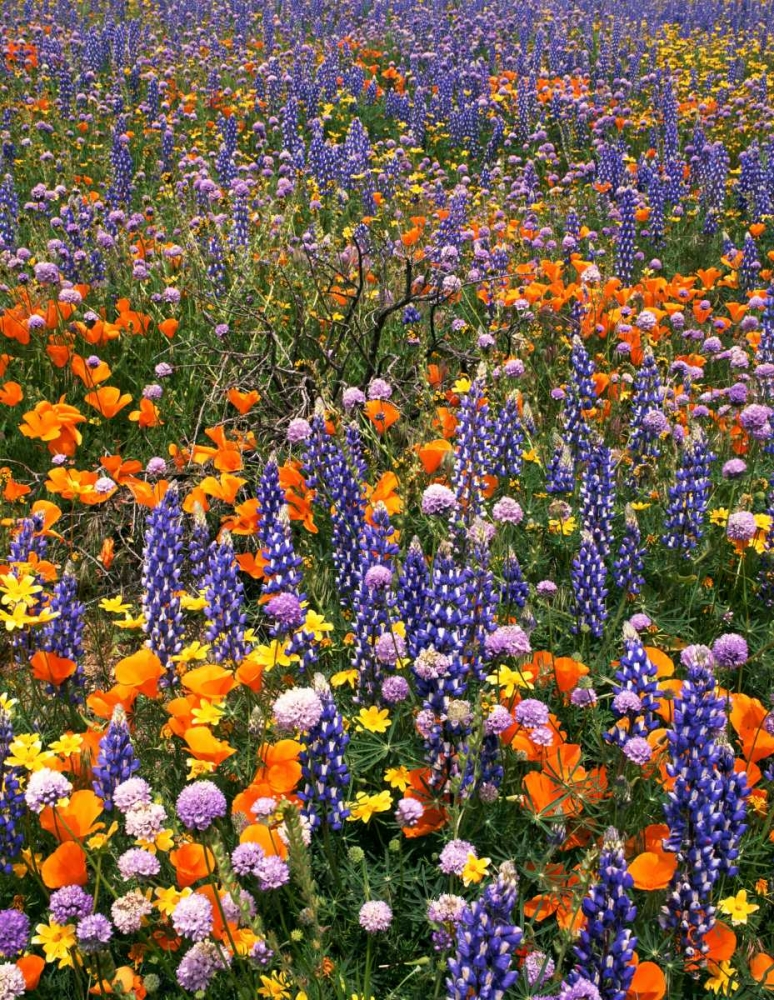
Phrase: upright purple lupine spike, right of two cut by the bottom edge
x=606 y=944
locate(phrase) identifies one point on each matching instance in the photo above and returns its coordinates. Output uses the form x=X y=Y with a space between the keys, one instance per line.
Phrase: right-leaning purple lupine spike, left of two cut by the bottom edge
x=481 y=965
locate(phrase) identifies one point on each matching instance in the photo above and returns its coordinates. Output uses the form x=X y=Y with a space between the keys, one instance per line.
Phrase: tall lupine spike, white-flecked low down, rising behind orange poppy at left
x=161 y=580
